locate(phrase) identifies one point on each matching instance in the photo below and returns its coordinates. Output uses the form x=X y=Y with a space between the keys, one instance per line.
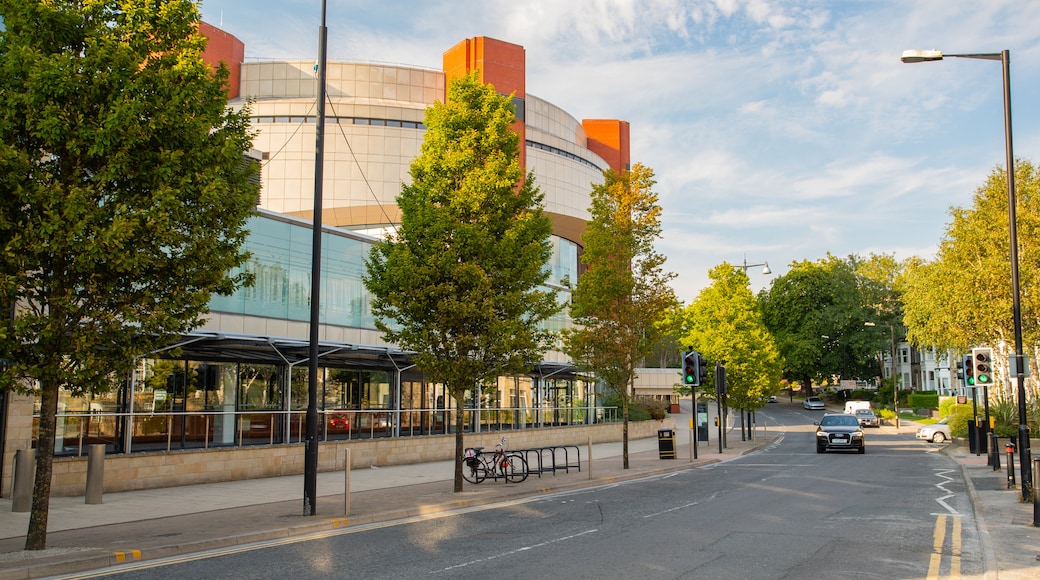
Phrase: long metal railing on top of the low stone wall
x=201 y=430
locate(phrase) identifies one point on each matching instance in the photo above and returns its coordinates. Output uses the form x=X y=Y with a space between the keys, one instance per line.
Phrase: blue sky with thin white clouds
x=778 y=130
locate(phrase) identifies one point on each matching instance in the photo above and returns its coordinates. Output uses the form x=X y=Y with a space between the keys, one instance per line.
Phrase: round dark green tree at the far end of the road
x=817 y=314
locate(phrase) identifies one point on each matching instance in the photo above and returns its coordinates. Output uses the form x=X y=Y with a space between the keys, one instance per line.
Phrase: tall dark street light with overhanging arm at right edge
x=1024 y=431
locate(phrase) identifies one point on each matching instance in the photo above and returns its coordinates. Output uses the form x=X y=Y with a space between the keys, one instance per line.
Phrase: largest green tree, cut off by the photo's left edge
x=124 y=196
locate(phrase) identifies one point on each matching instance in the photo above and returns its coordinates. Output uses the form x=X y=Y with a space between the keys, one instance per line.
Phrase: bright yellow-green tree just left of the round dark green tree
x=725 y=325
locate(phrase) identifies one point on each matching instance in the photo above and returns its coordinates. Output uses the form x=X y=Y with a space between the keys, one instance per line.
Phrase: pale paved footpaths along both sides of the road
x=146 y=525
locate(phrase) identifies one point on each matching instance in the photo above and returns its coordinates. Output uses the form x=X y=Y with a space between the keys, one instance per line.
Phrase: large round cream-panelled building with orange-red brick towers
x=241 y=381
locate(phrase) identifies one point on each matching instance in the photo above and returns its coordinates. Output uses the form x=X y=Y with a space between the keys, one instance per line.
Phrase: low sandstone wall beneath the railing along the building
x=144 y=471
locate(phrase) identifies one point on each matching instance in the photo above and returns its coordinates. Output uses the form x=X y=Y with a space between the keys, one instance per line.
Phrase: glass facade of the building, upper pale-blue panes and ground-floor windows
x=235 y=402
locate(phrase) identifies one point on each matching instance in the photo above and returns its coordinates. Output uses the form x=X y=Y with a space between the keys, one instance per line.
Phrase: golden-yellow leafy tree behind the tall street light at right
x=964 y=298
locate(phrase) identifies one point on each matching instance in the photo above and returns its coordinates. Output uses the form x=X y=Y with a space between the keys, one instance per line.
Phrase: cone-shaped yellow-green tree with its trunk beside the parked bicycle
x=459 y=281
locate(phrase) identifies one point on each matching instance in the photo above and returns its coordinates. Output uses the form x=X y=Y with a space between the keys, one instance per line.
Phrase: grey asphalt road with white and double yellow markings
x=899 y=512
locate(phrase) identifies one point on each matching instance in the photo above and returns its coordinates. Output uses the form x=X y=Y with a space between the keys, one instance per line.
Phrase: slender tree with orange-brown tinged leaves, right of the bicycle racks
x=621 y=304
